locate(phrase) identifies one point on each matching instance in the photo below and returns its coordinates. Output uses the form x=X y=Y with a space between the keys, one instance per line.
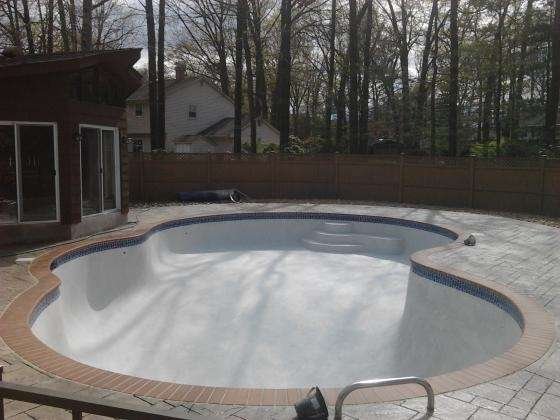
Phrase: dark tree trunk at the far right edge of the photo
x=551 y=113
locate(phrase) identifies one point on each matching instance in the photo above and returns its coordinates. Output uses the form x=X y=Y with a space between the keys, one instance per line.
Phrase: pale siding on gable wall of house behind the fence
x=211 y=107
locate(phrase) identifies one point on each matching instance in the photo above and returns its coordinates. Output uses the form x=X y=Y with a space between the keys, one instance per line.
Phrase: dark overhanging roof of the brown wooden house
x=119 y=62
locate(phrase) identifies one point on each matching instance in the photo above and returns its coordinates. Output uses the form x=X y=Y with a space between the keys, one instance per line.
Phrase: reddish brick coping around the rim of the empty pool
x=538 y=334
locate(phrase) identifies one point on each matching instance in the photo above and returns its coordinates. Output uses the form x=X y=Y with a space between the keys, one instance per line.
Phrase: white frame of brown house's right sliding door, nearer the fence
x=116 y=146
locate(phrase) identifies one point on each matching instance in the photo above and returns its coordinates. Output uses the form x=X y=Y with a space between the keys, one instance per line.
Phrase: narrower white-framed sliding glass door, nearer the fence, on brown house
x=100 y=181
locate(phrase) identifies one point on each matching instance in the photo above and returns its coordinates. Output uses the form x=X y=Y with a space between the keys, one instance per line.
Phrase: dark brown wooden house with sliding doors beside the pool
x=62 y=118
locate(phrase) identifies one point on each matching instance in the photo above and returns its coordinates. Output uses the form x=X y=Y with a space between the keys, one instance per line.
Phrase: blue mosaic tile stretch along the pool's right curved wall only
x=474 y=289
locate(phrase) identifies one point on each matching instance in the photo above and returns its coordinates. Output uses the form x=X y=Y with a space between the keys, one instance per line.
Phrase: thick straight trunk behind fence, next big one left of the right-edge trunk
x=453 y=77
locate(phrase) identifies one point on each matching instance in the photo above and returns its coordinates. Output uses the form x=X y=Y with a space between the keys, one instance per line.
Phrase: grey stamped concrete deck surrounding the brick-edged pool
x=521 y=255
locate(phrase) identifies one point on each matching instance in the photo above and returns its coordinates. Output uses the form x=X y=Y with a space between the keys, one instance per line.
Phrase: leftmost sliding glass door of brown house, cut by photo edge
x=28 y=172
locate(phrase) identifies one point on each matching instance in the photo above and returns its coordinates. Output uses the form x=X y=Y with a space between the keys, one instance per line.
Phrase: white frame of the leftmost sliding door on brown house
x=17 y=148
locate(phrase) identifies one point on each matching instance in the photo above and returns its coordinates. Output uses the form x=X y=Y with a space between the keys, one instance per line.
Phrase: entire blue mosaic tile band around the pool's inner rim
x=443 y=278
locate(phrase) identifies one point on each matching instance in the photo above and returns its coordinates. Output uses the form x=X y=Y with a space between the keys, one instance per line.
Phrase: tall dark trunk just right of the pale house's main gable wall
x=239 y=35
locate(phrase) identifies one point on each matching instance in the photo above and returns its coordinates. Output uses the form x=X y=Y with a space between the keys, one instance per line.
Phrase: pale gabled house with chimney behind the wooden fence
x=198 y=118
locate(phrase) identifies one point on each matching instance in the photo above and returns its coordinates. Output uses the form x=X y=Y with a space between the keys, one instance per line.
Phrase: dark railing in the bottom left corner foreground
x=78 y=405
